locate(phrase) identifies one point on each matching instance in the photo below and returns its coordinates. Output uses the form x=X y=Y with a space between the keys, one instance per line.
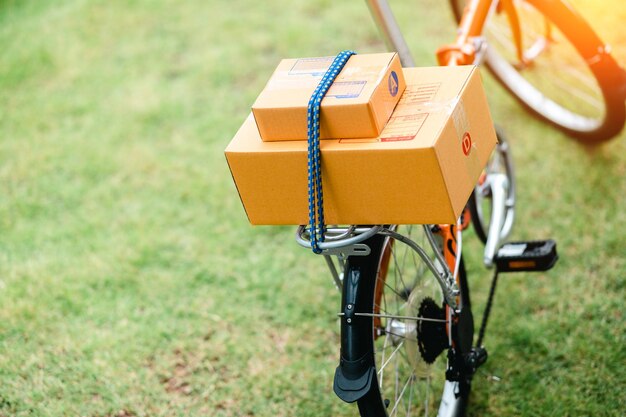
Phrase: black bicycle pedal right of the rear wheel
x=538 y=255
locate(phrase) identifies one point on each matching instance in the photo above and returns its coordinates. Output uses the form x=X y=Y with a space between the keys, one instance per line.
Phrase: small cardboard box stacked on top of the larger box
x=357 y=105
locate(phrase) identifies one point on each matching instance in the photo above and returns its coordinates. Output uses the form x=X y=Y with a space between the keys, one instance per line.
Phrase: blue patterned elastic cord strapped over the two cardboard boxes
x=316 y=197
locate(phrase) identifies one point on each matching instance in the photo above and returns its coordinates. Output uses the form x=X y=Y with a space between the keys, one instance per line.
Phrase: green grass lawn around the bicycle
x=131 y=283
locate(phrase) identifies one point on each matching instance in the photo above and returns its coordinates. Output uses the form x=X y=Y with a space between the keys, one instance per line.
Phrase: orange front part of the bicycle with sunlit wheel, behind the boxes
x=543 y=52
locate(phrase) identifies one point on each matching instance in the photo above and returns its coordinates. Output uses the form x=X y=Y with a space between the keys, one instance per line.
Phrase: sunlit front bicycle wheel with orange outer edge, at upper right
x=559 y=70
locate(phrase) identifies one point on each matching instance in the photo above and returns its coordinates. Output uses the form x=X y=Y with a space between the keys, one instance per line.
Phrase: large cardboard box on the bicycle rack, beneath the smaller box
x=421 y=169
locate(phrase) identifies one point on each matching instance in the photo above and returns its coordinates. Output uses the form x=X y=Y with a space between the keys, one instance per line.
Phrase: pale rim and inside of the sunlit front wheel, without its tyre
x=556 y=81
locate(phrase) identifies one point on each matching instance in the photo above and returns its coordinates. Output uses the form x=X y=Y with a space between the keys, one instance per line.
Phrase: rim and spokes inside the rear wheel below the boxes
x=408 y=385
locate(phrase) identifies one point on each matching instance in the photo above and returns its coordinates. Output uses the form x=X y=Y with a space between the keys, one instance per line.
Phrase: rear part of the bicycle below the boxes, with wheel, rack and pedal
x=407 y=327
